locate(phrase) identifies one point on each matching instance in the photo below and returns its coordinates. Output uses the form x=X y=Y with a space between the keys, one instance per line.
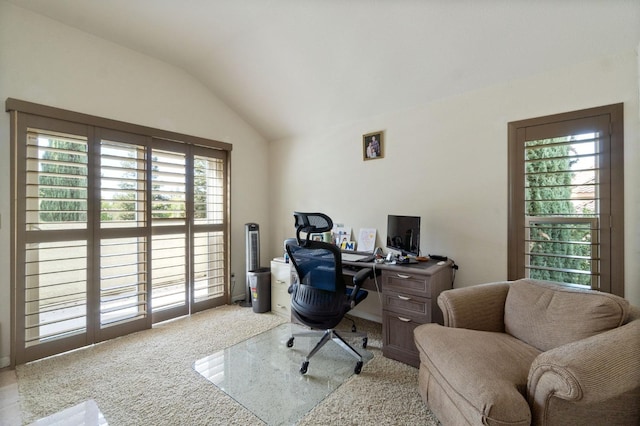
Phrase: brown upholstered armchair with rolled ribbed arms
x=531 y=352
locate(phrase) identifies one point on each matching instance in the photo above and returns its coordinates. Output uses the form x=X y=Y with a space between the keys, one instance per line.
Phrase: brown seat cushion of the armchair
x=485 y=373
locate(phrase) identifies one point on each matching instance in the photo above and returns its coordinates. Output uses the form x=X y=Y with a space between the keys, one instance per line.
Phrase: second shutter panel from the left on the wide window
x=123 y=248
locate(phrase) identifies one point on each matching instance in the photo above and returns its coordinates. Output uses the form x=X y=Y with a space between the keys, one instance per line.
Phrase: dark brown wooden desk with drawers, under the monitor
x=409 y=299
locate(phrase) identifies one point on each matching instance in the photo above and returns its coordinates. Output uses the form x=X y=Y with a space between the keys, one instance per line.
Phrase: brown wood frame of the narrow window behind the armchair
x=612 y=245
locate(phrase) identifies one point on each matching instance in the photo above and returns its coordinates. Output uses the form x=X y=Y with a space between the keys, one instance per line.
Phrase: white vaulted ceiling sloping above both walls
x=295 y=66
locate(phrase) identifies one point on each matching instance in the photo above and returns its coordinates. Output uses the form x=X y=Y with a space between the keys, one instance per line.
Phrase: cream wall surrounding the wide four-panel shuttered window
x=46 y=62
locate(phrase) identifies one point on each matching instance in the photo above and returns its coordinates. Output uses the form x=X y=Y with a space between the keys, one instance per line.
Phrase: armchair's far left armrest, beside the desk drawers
x=479 y=307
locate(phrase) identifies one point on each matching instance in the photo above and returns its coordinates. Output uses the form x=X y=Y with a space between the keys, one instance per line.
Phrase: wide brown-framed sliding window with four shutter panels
x=117 y=227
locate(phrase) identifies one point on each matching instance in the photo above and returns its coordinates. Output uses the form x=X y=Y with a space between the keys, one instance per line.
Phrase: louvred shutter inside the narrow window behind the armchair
x=562 y=208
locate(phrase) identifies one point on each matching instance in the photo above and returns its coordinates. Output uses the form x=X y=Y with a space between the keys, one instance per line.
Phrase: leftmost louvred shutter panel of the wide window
x=54 y=226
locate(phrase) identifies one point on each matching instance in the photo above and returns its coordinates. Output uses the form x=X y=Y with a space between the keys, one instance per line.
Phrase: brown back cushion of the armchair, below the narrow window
x=547 y=315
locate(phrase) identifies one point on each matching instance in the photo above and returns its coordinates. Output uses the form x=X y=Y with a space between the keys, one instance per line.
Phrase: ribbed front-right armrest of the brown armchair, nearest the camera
x=590 y=370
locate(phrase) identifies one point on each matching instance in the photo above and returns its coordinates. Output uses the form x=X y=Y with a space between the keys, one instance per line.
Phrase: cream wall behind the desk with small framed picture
x=447 y=162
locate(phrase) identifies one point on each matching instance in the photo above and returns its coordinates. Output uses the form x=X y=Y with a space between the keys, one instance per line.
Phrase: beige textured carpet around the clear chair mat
x=147 y=378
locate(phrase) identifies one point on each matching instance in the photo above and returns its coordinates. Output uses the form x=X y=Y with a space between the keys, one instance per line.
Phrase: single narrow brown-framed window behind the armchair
x=566 y=199
